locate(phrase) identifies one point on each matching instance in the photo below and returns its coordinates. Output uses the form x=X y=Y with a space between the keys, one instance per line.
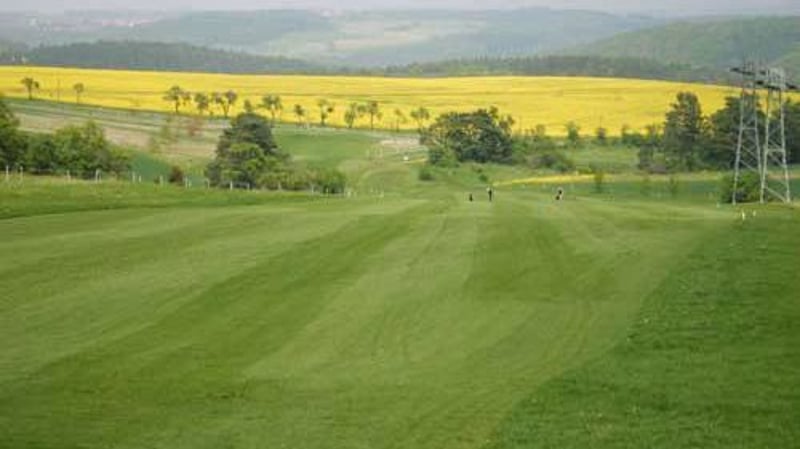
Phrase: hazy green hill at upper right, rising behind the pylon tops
x=716 y=43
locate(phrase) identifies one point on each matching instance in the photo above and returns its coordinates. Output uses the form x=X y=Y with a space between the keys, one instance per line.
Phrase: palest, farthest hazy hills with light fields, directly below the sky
x=351 y=38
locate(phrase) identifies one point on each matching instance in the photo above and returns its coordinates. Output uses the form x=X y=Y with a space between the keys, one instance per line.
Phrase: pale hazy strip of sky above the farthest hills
x=778 y=7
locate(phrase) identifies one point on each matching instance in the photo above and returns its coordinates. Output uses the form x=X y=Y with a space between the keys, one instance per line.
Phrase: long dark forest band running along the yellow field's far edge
x=183 y=57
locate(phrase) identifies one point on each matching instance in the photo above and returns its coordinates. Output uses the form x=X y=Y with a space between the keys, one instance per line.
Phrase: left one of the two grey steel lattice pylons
x=748 y=146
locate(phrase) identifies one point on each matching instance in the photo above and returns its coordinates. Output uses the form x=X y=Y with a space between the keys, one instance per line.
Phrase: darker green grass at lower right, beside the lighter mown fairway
x=712 y=360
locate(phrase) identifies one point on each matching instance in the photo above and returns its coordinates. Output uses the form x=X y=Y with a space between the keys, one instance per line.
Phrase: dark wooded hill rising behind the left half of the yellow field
x=159 y=56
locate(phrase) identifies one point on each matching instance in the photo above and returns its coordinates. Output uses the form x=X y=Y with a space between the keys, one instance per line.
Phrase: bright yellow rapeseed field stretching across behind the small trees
x=549 y=101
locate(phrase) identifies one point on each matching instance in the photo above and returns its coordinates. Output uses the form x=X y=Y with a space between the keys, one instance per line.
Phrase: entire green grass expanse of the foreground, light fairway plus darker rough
x=139 y=316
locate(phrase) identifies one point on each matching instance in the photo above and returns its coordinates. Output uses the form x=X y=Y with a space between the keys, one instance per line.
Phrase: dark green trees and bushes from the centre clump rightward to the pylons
x=687 y=139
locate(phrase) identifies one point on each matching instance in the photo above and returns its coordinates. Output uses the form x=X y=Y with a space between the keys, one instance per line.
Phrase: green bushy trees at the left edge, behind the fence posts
x=79 y=150
